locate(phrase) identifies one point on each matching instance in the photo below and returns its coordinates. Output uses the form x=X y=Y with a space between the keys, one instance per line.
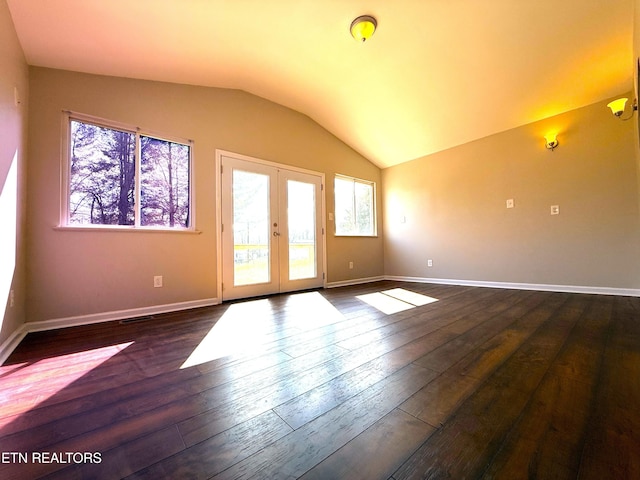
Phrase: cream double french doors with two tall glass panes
x=272 y=235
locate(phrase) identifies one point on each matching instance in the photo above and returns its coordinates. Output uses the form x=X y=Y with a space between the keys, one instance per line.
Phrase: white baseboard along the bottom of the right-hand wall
x=624 y=292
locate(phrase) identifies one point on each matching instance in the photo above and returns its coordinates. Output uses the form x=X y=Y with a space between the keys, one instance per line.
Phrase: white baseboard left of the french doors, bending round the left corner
x=16 y=337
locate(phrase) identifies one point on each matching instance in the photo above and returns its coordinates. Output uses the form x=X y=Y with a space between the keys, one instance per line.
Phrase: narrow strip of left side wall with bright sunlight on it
x=13 y=128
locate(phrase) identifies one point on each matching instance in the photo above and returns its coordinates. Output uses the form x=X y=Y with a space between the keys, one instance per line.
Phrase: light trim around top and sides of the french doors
x=218 y=209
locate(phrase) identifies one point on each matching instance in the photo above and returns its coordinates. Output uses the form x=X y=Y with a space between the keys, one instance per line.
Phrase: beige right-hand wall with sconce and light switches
x=455 y=207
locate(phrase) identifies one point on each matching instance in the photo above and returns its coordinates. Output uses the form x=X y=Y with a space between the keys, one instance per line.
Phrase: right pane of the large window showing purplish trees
x=164 y=183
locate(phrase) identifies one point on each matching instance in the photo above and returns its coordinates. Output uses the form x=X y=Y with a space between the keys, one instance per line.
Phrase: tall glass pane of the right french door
x=301 y=215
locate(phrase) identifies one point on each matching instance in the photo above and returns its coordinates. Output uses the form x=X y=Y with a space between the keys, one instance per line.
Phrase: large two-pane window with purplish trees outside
x=107 y=186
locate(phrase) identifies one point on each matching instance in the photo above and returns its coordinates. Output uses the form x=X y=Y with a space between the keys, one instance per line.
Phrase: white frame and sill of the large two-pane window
x=65 y=207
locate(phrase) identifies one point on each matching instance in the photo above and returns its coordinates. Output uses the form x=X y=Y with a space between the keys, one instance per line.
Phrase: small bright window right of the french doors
x=355 y=201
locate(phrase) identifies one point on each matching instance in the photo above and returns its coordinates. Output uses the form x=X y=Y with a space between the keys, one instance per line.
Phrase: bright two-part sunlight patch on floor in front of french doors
x=244 y=327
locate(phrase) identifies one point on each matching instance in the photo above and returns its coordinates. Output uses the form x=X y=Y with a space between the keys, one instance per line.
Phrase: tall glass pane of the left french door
x=251 y=231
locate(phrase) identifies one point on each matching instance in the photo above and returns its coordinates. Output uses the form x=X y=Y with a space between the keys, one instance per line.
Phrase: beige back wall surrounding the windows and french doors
x=75 y=273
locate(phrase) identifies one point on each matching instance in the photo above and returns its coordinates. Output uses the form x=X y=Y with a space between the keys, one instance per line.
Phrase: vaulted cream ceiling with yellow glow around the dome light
x=437 y=73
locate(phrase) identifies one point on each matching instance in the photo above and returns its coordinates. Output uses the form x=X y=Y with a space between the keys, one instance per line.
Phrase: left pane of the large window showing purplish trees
x=102 y=175
